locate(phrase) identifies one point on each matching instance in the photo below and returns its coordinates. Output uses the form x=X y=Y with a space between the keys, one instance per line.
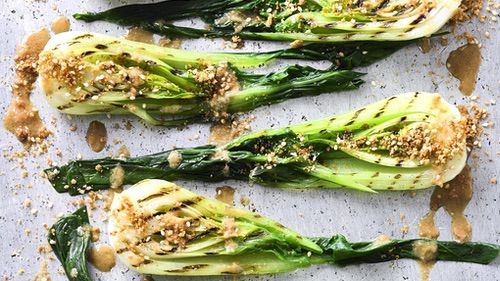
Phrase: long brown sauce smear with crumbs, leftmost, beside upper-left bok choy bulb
x=22 y=118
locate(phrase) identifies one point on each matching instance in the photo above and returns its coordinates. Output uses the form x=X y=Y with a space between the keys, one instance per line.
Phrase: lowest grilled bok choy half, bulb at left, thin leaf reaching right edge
x=157 y=227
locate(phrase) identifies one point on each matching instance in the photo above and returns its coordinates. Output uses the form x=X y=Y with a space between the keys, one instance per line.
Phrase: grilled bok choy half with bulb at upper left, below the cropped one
x=88 y=73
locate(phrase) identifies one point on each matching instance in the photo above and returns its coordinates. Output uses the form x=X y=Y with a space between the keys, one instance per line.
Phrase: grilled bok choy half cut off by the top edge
x=289 y=20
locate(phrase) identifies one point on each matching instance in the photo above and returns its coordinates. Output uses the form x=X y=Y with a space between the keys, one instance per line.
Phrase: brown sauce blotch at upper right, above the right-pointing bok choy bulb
x=463 y=63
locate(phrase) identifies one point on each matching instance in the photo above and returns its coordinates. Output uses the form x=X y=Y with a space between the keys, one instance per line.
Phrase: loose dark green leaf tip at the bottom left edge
x=69 y=238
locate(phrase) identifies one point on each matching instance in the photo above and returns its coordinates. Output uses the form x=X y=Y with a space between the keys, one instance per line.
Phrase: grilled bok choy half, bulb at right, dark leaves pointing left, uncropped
x=409 y=141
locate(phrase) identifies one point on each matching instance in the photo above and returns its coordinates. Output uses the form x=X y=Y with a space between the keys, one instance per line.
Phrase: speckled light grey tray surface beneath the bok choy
x=317 y=212
